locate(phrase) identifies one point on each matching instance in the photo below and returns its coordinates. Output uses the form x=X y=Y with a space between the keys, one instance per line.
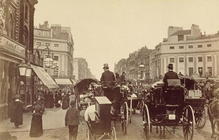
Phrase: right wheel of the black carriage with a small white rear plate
x=188 y=123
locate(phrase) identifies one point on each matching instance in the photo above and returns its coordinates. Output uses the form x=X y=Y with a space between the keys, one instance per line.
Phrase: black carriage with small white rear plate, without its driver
x=167 y=108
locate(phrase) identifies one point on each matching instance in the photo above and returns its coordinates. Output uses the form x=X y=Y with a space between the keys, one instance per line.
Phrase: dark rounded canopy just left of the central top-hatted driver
x=84 y=84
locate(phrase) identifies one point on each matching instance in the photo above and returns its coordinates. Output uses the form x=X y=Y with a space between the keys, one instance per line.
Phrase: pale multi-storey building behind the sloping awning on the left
x=56 y=47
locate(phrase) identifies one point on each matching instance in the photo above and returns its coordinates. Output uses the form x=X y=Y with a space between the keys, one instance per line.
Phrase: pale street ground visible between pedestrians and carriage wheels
x=53 y=123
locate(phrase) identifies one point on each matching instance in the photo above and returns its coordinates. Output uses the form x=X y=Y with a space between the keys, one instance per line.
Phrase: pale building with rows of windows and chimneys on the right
x=190 y=52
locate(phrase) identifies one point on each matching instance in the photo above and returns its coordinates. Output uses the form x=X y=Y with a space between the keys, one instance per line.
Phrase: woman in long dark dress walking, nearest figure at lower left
x=36 y=129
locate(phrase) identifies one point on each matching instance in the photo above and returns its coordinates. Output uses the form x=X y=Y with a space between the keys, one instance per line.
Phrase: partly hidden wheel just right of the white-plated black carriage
x=201 y=118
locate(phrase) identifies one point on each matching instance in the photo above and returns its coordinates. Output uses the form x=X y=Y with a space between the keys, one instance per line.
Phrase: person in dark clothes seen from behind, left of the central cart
x=72 y=120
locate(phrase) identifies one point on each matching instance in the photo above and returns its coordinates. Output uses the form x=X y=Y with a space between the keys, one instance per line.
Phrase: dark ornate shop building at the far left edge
x=16 y=46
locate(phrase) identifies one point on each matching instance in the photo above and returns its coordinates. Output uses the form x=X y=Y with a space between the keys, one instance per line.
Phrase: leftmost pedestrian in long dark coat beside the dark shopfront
x=17 y=112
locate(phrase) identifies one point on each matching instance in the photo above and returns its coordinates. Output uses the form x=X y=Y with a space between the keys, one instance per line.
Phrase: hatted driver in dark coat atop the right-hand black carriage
x=169 y=75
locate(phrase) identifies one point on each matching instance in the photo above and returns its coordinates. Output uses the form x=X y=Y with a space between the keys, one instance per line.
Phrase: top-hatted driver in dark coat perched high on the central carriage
x=108 y=82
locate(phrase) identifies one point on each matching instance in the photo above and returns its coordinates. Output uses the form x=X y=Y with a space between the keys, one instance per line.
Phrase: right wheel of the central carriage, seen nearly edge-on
x=125 y=117
